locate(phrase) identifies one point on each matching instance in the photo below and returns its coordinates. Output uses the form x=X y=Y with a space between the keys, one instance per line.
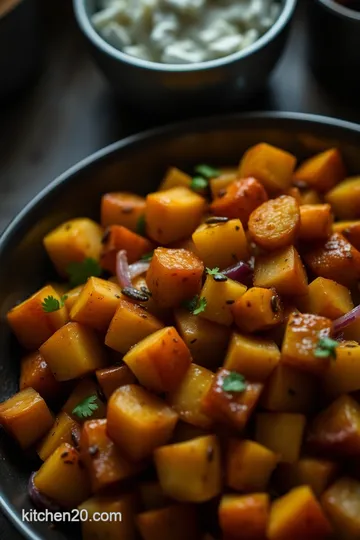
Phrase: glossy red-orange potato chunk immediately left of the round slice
x=239 y=200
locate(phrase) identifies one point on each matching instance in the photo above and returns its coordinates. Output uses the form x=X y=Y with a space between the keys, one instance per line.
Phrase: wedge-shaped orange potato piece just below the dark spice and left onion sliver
x=130 y=324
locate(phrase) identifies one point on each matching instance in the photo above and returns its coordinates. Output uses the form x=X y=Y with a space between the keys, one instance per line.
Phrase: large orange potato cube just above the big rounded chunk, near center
x=159 y=361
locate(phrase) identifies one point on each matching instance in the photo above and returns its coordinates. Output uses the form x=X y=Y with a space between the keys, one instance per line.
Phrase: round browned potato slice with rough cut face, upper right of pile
x=275 y=224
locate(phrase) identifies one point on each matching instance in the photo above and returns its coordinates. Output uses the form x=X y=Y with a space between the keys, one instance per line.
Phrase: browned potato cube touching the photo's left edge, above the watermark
x=26 y=417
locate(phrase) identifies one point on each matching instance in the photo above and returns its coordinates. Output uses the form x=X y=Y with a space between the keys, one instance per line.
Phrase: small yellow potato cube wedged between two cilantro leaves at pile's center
x=219 y=297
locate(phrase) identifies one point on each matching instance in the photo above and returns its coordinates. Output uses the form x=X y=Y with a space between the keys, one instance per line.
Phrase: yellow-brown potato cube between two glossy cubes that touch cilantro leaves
x=252 y=356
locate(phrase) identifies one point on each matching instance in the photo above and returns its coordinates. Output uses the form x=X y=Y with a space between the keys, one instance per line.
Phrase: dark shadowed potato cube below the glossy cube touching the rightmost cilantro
x=289 y=390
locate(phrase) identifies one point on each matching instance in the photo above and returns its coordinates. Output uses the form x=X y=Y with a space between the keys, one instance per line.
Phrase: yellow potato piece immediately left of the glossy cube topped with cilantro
x=186 y=399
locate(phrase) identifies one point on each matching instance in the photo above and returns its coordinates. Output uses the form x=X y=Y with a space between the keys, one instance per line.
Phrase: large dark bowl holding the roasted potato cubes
x=137 y=164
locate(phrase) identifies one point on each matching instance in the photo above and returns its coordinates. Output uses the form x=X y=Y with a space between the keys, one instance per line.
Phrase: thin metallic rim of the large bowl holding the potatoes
x=201 y=124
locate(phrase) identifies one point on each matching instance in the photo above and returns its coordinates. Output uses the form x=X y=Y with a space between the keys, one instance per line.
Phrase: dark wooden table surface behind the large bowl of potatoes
x=71 y=112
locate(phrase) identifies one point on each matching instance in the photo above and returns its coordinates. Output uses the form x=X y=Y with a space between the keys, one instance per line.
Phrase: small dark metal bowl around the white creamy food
x=208 y=84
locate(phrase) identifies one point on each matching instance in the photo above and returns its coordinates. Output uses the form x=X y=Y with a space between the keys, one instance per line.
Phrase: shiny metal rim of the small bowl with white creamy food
x=95 y=38
